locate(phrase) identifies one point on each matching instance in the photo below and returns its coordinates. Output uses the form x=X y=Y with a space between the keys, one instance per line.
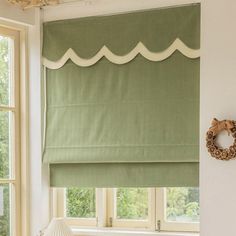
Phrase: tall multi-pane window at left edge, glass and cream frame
x=9 y=133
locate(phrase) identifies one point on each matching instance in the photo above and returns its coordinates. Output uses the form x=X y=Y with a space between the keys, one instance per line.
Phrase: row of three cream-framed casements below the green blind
x=167 y=209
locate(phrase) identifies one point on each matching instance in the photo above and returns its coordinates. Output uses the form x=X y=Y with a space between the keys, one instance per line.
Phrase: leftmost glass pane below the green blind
x=80 y=202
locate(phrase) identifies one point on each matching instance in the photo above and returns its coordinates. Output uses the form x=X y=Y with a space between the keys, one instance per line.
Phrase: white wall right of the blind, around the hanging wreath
x=218 y=99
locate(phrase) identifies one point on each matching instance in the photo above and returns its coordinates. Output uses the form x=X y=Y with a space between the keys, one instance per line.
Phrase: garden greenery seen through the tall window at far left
x=5 y=134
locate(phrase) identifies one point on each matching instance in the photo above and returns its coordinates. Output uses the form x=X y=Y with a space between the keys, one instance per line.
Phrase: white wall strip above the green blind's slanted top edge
x=104 y=7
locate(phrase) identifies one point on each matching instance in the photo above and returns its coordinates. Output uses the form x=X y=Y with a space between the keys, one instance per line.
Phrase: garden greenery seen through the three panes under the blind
x=181 y=205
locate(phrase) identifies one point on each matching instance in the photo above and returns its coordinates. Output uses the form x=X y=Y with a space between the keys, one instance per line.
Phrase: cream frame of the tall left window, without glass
x=21 y=179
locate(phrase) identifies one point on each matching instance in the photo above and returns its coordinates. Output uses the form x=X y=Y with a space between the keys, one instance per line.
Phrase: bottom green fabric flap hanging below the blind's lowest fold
x=124 y=175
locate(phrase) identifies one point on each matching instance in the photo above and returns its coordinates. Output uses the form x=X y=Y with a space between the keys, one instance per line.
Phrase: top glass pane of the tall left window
x=5 y=69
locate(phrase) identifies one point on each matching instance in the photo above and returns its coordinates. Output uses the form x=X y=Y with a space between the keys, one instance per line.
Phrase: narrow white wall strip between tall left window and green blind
x=37 y=204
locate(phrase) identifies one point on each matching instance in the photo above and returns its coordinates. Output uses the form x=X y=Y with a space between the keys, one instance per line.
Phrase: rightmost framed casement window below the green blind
x=178 y=209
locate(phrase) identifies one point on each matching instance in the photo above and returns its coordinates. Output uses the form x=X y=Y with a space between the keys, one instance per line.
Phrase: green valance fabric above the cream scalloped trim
x=156 y=29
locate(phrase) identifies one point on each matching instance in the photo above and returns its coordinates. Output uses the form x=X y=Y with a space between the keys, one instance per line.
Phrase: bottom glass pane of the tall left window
x=4 y=210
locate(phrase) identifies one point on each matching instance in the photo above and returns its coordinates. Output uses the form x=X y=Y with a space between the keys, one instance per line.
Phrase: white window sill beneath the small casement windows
x=124 y=232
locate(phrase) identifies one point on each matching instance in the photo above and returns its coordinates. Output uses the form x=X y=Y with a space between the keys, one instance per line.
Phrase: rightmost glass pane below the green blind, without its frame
x=182 y=204
